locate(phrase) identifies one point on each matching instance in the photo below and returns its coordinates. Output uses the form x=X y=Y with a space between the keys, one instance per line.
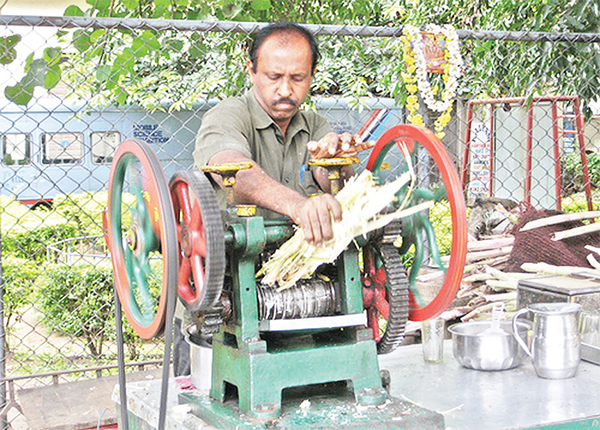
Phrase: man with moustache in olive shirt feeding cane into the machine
x=266 y=127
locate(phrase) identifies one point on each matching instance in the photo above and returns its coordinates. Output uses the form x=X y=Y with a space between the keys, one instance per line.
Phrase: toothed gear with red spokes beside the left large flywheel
x=201 y=240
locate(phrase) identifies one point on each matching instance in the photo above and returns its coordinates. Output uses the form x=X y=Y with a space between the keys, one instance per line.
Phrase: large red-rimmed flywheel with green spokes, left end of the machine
x=141 y=236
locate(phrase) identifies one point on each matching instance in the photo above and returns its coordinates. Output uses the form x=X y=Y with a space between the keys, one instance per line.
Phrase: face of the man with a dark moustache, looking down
x=283 y=75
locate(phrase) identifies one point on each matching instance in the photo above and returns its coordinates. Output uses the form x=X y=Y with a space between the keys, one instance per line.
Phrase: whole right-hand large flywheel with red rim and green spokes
x=432 y=244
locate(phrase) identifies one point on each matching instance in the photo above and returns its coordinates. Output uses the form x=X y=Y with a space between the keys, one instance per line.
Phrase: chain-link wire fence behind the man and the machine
x=77 y=87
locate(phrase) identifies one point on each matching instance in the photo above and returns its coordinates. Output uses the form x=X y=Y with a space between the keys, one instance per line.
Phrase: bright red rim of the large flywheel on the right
x=406 y=133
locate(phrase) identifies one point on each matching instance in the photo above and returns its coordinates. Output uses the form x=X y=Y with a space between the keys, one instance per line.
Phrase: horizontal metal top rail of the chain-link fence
x=253 y=27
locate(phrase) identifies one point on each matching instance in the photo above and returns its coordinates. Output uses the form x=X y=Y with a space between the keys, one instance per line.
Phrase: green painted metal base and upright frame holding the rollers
x=262 y=365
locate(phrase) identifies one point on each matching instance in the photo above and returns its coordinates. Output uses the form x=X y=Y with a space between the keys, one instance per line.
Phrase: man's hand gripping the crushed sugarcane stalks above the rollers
x=314 y=215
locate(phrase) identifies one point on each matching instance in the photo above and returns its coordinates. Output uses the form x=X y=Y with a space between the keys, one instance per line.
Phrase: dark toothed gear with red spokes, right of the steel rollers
x=385 y=294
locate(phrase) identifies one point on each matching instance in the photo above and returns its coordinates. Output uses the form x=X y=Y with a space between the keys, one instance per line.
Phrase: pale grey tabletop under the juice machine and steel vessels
x=468 y=399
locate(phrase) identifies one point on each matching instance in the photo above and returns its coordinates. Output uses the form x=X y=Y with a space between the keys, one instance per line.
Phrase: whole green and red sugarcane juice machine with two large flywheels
x=327 y=329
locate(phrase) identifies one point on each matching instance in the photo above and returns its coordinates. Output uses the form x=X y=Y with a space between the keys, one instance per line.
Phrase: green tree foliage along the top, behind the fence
x=150 y=67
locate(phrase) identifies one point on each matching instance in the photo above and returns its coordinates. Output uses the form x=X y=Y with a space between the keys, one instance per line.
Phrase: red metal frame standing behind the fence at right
x=579 y=130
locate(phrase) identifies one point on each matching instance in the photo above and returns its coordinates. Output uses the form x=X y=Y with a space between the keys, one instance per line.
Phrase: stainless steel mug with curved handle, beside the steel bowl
x=556 y=346
